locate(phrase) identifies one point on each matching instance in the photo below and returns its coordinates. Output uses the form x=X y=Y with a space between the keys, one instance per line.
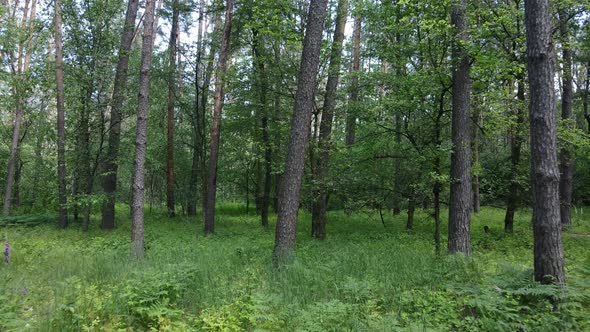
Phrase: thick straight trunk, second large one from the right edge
x=460 y=201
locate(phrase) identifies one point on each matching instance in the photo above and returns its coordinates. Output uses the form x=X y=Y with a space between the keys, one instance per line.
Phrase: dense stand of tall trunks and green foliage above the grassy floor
x=422 y=112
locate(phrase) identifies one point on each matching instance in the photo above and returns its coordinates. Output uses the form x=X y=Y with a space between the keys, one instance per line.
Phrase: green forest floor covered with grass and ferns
x=364 y=277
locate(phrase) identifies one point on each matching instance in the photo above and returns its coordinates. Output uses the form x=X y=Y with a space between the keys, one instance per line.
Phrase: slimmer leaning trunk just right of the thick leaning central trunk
x=320 y=203
